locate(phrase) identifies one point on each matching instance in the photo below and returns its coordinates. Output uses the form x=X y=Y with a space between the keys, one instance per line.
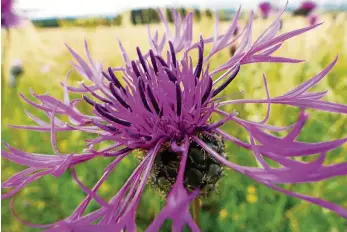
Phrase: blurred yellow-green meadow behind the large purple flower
x=238 y=204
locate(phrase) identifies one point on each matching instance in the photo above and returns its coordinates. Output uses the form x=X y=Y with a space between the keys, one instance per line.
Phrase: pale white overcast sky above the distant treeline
x=59 y=8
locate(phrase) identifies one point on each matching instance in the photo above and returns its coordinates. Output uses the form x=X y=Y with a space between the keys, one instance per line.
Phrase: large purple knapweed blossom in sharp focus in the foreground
x=164 y=110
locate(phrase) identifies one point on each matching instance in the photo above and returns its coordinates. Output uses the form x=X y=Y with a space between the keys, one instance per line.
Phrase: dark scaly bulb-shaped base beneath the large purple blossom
x=201 y=171
